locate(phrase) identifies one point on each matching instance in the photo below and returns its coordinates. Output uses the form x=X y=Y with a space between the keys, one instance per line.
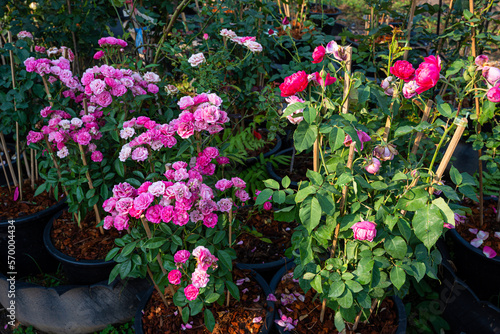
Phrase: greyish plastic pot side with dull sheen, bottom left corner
x=74 y=309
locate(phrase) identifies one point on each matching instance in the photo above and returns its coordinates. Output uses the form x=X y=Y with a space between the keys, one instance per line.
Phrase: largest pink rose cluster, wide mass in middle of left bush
x=181 y=199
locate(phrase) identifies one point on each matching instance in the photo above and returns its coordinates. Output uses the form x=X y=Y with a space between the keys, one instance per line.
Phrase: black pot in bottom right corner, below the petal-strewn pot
x=460 y=306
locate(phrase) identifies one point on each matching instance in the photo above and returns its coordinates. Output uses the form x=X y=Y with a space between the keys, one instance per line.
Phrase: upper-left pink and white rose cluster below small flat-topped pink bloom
x=102 y=83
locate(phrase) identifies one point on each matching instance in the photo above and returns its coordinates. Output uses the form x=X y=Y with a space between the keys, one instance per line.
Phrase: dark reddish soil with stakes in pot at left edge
x=30 y=204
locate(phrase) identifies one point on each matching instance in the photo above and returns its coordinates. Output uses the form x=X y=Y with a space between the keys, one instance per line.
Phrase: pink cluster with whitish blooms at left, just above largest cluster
x=148 y=136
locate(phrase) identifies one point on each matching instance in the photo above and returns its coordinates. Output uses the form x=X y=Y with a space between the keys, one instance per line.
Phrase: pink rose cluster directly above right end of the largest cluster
x=199 y=113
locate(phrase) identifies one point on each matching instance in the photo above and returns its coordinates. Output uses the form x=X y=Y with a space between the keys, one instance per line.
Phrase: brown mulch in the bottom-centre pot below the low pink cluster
x=237 y=319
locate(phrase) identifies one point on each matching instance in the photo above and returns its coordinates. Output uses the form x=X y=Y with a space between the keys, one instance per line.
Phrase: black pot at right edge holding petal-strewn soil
x=479 y=272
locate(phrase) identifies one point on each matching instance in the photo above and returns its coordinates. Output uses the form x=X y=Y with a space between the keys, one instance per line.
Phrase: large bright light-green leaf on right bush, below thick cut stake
x=428 y=225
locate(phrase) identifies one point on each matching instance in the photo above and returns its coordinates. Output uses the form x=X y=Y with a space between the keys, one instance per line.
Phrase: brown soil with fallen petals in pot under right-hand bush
x=383 y=321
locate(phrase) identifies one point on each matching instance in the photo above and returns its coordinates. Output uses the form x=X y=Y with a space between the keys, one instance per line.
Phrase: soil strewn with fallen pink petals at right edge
x=489 y=224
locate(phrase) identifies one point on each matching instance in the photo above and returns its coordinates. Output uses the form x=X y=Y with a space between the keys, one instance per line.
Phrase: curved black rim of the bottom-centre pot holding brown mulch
x=264 y=329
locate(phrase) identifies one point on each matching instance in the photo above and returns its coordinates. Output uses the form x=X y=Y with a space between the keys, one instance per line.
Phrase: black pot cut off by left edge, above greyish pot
x=27 y=247
